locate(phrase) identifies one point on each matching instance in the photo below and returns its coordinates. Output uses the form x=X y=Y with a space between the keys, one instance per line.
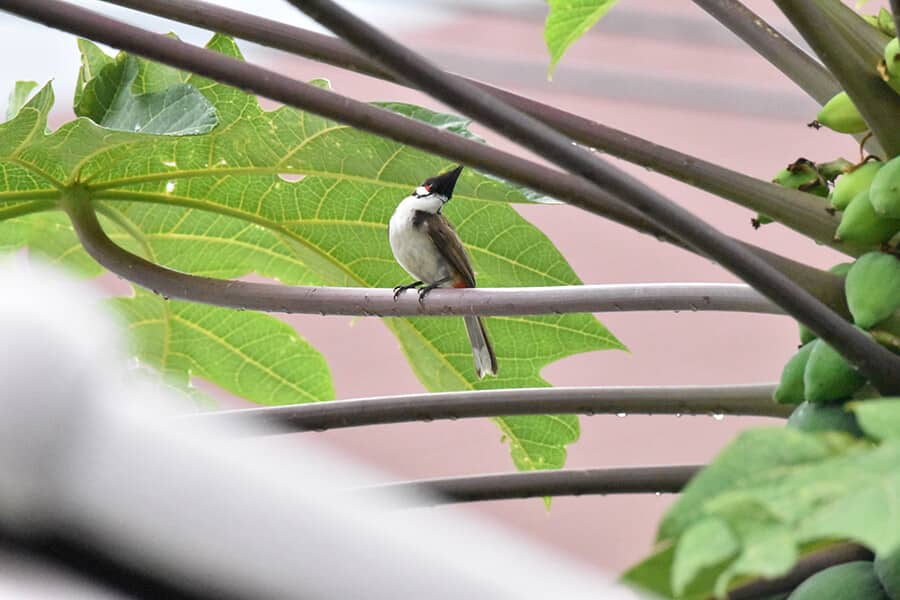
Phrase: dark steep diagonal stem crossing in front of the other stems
x=877 y=364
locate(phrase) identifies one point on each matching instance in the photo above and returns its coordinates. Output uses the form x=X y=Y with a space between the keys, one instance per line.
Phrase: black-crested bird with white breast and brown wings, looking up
x=428 y=248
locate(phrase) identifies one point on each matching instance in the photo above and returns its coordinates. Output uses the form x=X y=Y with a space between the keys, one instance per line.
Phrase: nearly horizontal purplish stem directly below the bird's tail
x=743 y=400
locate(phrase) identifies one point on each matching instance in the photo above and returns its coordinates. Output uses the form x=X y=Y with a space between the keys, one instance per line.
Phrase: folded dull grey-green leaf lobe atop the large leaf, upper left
x=108 y=100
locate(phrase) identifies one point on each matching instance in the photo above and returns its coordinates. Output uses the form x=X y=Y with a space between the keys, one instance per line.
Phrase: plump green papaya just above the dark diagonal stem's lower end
x=873 y=288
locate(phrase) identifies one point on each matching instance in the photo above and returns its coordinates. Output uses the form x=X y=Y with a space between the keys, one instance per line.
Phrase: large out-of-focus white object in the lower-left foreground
x=90 y=458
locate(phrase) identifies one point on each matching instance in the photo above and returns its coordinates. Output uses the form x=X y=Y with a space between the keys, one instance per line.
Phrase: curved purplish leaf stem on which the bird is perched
x=272 y=297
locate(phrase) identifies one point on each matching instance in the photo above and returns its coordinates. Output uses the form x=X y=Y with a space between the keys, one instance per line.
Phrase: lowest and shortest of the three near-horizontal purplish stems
x=534 y=484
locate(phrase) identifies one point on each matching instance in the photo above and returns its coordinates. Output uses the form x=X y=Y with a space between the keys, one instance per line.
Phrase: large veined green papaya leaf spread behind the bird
x=303 y=200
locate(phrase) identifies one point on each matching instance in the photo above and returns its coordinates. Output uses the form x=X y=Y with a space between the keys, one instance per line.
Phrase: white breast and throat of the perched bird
x=413 y=248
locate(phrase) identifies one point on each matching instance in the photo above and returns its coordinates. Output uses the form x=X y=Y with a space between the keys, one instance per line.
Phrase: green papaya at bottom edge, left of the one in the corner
x=849 y=581
